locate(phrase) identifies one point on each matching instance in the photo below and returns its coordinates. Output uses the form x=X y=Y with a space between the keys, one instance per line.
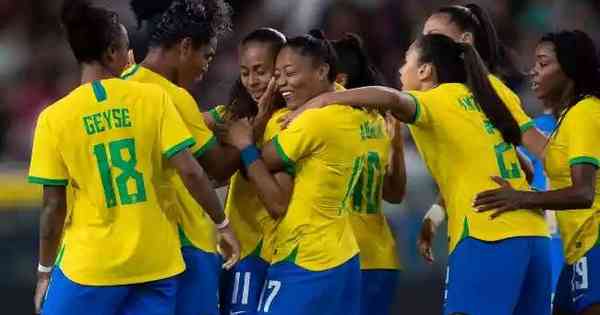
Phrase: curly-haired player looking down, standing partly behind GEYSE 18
x=183 y=40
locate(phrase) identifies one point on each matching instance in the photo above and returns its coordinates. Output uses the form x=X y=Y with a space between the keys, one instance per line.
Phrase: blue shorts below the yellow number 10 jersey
x=379 y=288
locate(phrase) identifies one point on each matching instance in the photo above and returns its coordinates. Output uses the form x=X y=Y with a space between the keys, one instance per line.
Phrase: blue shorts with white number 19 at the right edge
x=579 y=284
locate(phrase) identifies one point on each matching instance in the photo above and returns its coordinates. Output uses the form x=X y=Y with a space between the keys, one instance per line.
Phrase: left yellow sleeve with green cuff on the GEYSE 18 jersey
x=47 y=166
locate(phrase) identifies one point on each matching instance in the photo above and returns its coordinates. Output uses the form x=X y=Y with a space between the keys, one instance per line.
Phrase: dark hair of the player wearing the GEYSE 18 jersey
x=90 y=30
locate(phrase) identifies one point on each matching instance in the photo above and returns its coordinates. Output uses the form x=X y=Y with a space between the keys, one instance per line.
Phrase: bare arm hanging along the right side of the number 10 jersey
x=394 y=186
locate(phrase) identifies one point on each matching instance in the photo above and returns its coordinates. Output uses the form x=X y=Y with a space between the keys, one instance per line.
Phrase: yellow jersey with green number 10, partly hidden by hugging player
x=375 y=240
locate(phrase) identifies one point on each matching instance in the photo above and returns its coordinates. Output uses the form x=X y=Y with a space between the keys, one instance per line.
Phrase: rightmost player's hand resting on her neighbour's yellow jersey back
x=502 y=199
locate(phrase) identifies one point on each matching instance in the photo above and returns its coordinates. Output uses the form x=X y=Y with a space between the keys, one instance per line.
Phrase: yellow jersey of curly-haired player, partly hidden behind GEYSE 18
x=195 y=226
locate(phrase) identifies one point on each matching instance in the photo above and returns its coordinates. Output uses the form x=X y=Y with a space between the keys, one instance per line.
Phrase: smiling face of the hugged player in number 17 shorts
x=299 y=78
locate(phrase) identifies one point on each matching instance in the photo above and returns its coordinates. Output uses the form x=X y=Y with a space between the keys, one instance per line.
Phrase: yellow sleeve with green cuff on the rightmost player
x=583 y=127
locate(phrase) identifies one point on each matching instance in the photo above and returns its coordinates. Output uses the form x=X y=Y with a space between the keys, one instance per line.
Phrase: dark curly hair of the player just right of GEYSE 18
x=171 y=21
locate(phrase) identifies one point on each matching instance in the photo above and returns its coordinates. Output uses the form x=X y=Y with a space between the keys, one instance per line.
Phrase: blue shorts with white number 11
x=241 y=286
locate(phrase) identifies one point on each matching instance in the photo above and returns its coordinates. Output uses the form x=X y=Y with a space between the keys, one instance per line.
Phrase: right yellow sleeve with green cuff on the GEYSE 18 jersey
x=174 y=135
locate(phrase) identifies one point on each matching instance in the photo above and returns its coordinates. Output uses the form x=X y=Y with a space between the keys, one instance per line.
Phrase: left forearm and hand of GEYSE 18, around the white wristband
x=52 y=220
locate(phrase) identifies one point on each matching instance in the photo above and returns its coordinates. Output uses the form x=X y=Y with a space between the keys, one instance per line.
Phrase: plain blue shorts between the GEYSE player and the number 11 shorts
x=198 y=285
